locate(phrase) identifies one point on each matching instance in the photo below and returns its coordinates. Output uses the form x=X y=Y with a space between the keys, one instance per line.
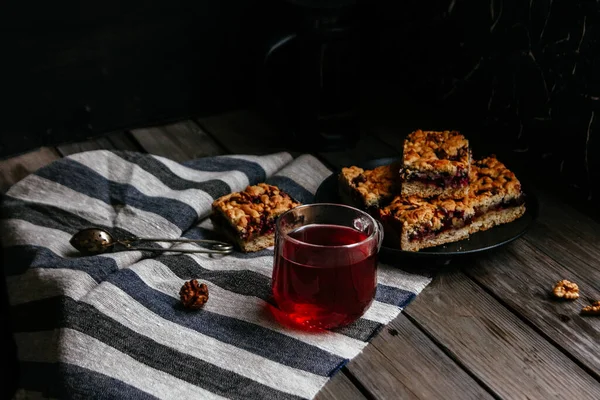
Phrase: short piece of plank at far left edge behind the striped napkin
x=16 y=168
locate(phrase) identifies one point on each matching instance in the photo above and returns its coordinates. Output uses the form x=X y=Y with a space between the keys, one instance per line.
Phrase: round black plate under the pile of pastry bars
x=481 y=241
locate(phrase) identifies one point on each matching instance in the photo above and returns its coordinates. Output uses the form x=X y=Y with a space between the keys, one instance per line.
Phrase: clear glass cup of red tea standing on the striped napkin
x=325 y=267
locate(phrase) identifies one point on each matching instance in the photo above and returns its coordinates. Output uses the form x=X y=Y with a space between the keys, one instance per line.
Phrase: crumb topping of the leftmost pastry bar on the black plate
x=372 y=185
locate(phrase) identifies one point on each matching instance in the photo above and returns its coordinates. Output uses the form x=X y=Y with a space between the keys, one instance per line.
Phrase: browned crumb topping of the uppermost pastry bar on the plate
x=439 y=152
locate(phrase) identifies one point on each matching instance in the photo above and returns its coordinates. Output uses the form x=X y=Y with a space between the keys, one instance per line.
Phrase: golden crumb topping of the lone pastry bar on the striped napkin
x=254 y=210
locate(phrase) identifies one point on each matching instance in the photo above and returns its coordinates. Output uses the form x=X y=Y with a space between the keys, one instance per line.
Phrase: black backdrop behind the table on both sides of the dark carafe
x=519 y=77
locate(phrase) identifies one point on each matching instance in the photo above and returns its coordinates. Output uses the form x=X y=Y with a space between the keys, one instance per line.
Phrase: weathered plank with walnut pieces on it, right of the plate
x=522 y=277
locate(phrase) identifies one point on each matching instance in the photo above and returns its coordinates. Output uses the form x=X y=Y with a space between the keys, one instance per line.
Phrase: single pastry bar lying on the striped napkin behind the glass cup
x=248 y=218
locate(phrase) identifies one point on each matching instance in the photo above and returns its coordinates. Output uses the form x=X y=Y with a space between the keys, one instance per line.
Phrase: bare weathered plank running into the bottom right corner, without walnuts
x=502 y=352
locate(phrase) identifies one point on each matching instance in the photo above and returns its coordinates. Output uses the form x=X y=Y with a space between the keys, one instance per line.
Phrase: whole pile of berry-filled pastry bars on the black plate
x=432 y=202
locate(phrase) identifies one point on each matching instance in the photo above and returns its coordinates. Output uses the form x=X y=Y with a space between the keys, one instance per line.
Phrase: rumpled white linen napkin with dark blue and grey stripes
x=110 y=326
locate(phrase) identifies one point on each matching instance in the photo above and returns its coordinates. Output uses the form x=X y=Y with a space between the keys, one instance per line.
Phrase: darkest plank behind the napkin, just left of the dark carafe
x=244 y=132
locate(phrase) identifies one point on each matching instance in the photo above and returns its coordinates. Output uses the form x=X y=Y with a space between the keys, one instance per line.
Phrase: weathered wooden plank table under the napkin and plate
x=486 y=326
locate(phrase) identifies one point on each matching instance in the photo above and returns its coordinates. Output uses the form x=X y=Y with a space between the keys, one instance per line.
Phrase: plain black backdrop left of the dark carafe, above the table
x=75 y=68
